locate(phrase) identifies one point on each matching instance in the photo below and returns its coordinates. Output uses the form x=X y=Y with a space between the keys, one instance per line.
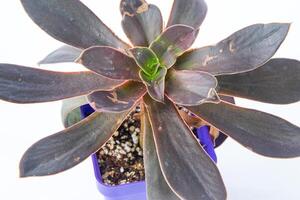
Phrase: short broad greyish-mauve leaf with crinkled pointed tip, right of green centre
x=189 y=88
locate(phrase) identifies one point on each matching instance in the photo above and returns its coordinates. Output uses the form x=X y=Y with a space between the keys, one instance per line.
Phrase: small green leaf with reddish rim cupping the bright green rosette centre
x=146 y=59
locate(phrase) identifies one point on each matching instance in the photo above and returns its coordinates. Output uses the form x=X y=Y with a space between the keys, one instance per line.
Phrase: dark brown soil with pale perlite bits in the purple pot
x=121 y=158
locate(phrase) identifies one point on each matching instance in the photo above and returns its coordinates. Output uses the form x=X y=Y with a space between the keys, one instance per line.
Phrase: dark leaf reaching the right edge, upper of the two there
x=277 y=81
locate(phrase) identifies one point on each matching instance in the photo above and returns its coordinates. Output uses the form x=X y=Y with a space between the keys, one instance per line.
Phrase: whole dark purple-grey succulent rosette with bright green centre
x=160 y=72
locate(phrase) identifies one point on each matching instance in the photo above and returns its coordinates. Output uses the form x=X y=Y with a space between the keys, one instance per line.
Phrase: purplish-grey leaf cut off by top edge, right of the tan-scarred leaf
x=188 y=12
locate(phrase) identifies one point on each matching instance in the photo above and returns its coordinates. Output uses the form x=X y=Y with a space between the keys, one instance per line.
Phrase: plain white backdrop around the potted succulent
x=246 y=175
